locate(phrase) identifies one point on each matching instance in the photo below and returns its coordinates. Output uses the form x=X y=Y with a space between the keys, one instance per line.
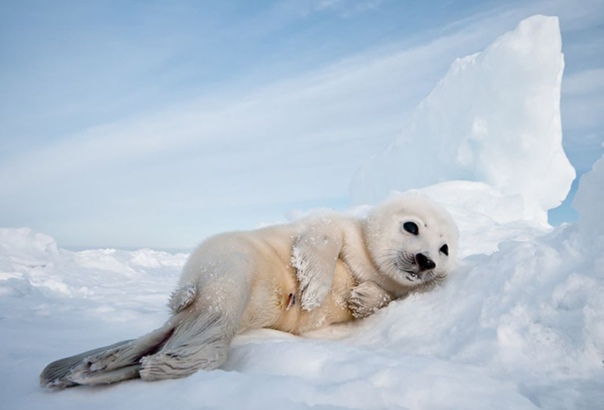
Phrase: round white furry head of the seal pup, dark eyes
x=411 y=239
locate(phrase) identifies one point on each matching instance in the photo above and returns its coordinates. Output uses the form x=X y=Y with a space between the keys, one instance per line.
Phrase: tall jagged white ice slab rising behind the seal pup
x=494 y=118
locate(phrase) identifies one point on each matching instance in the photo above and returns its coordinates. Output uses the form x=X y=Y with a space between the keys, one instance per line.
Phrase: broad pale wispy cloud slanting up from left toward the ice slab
x=291 y=142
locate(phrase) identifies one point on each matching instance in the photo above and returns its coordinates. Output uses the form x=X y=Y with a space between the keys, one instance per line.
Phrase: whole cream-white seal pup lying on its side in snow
x=324 y=269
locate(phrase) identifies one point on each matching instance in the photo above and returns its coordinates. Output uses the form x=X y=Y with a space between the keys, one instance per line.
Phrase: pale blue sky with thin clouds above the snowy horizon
x=156 y=124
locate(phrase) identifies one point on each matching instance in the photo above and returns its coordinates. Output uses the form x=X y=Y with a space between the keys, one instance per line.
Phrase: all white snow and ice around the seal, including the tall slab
x=519 y=324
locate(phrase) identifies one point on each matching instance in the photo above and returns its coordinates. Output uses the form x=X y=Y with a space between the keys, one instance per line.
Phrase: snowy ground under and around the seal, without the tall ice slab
x=520 y=326
